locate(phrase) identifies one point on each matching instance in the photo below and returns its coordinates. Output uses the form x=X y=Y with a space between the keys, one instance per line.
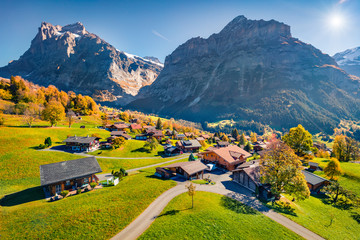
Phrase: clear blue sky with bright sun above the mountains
x=157 y=28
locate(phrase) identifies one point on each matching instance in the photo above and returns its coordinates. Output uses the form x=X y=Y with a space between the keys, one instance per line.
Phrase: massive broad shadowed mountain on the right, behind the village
x=252 y=70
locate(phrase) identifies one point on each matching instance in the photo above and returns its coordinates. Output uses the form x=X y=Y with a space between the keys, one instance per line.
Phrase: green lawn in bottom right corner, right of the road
x=325 y=220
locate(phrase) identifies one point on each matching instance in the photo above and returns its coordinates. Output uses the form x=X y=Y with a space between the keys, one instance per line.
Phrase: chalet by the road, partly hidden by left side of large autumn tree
x=248 y=176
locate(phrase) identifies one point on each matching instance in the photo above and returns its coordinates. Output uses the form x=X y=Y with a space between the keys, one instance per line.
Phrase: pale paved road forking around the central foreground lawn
x=223 y=186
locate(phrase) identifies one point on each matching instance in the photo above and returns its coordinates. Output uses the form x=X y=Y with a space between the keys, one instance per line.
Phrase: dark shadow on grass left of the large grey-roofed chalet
x=25 y=196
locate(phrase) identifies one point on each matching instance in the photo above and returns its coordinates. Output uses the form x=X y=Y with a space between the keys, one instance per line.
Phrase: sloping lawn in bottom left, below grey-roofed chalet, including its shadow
x=98 y=214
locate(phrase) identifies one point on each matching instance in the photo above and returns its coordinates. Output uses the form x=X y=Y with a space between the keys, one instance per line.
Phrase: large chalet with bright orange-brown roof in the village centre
x=227 y=157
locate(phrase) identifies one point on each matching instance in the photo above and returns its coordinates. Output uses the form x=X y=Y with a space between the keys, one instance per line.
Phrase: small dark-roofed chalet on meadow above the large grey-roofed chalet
x=87 y=144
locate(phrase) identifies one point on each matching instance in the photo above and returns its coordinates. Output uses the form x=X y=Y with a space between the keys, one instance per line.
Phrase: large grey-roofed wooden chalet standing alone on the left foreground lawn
x=68 y=175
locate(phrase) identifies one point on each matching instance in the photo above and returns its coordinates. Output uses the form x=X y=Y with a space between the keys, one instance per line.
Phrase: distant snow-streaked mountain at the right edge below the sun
x=349 y=60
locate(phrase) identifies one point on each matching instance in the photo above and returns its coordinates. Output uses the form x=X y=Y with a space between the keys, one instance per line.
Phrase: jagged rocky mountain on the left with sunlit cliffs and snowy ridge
x=73 y=59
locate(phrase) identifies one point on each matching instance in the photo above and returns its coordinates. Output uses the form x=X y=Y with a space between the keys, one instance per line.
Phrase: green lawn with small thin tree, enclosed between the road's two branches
x=213 y=217
